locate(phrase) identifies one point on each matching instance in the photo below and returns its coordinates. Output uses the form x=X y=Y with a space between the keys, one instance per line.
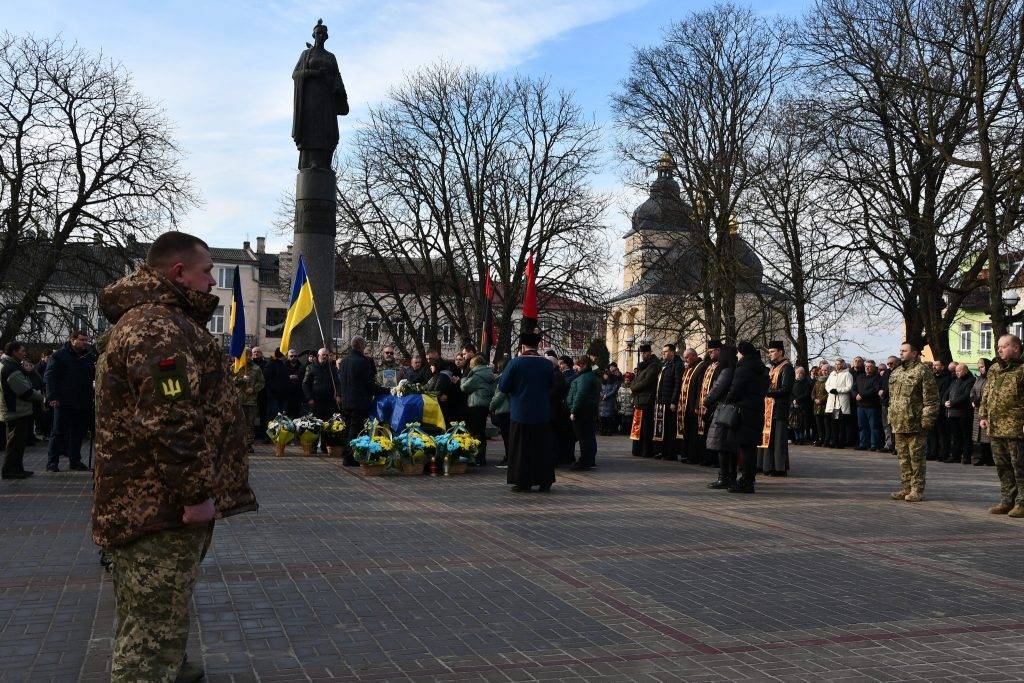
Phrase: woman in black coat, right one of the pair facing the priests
x=750 y=386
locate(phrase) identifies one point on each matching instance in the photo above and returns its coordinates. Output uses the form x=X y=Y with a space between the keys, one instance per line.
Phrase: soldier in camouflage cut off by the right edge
x=1002 y=413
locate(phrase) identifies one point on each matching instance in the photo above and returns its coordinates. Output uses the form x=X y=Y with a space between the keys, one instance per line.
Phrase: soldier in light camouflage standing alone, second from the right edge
x=914 y=406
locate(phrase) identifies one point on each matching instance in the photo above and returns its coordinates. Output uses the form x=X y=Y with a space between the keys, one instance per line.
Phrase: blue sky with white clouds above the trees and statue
x=223 y=72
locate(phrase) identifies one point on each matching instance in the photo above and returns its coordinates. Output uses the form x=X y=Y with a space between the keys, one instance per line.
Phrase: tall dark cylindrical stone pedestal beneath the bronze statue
x=316 y=229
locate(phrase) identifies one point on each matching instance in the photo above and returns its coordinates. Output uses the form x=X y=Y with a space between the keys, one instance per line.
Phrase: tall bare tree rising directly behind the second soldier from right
x=910 y=219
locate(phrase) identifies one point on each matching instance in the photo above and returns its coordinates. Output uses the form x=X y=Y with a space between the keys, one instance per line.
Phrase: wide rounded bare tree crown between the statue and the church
x=460 y=172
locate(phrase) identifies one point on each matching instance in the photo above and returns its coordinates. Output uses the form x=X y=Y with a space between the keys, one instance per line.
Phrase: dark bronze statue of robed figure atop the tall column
x=320 y=100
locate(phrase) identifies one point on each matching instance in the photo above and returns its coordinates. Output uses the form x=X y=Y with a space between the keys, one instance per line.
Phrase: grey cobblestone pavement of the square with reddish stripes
x=634 y=572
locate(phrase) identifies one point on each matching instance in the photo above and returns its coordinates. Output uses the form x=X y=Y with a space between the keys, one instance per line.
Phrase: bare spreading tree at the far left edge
x=83 y=157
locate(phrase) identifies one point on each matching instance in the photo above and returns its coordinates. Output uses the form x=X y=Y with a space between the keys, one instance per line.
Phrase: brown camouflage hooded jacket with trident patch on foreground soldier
x=169 y=428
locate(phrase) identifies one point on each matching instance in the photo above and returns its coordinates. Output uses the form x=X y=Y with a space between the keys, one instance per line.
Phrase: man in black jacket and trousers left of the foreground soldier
x=69 y=392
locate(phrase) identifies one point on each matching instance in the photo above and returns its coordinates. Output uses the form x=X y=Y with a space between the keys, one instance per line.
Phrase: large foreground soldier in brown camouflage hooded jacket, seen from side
x=170 y=453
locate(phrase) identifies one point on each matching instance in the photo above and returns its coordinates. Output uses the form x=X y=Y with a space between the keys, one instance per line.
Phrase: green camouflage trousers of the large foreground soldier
x=154 y=578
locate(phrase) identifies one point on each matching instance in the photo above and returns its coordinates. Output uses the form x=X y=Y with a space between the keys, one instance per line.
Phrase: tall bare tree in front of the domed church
x=706 y=95
